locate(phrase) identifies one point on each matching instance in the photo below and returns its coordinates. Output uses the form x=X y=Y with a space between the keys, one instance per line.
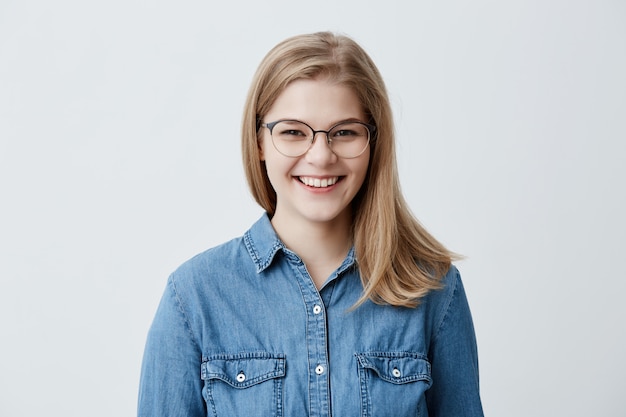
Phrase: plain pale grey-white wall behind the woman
x=119 y=159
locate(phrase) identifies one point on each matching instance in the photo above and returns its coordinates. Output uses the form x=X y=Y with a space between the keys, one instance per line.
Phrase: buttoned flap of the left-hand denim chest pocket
x=244 y=369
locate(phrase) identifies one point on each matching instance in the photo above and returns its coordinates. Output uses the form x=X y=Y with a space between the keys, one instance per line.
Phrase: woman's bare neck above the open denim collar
x=321 y=245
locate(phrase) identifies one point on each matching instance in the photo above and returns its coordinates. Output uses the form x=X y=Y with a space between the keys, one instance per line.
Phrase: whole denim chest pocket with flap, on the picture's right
x=393 y=383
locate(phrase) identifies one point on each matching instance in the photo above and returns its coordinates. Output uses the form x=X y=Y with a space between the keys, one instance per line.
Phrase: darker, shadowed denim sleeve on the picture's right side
x=454 y=358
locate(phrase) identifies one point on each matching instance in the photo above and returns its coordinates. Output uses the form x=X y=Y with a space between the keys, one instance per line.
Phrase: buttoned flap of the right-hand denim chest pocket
x=397 y=368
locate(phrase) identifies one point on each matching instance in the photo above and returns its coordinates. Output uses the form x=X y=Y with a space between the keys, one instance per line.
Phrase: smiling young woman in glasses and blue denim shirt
x=337 y=301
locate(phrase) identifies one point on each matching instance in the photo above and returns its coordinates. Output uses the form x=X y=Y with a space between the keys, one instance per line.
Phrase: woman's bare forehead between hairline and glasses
x=317 y=102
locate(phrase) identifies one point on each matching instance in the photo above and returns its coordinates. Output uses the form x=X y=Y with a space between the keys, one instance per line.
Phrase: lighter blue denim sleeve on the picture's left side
x=170 y=383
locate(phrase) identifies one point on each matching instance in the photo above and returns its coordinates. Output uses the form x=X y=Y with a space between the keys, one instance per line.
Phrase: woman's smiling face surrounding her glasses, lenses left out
x=318 y=186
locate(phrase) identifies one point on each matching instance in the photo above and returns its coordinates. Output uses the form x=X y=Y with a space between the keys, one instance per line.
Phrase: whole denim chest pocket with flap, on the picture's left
x=244 y=384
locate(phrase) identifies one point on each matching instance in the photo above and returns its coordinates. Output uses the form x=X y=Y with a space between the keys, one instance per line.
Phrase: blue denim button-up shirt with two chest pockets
x=242 y=330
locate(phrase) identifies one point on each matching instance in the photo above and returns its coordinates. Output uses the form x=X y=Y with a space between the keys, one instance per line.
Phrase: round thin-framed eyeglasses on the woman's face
x=294 y=138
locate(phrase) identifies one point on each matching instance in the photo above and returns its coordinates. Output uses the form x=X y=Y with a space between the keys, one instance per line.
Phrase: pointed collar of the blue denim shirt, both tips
x=263 y=243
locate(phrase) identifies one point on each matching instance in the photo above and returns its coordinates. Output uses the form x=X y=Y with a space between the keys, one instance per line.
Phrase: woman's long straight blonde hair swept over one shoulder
x=399 y=261
